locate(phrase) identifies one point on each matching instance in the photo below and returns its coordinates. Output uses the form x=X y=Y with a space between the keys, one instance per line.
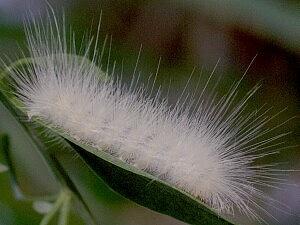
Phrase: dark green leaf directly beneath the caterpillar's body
x=145 y=189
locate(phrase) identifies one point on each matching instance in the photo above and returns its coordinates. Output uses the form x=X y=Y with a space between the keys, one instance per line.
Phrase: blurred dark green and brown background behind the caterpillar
x=184 y=34
